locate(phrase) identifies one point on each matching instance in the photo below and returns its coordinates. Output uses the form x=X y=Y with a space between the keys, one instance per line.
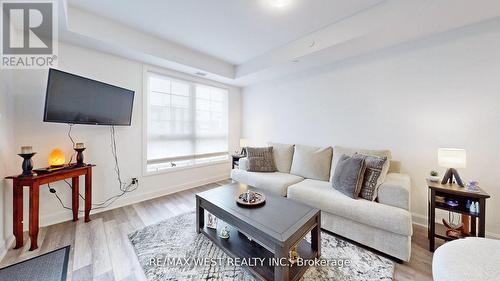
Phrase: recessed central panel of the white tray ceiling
x=232 y=30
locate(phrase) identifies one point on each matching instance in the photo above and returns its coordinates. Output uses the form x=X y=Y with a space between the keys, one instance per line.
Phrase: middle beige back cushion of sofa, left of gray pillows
x=312 y=162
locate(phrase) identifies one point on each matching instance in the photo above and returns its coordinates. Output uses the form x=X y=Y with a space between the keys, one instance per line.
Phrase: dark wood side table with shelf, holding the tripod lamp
x=461 y=194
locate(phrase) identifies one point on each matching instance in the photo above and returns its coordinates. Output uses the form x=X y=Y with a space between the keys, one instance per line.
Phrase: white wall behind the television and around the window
x=28 y=105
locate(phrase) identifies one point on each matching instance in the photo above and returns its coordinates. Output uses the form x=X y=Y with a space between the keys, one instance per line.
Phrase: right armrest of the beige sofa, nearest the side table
x=395 y=191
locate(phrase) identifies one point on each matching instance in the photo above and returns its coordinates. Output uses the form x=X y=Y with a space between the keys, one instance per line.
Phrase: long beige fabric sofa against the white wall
x=305 y=173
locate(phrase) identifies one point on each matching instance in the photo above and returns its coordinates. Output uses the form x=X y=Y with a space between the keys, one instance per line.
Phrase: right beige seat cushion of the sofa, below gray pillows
x=321 y=195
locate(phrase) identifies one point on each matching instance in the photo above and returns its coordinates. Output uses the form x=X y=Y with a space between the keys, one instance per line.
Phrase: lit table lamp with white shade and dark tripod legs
x=452 y=158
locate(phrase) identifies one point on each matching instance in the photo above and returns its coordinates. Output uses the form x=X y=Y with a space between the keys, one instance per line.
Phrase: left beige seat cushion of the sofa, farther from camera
x=274 y=182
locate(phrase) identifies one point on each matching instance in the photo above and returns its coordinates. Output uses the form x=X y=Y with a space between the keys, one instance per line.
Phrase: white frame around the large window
x=145 y=111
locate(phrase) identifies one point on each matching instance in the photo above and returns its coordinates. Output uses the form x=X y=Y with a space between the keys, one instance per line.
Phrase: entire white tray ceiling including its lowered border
x=244 y=42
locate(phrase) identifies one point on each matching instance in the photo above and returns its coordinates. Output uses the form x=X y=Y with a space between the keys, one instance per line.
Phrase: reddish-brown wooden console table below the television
x=34 y=182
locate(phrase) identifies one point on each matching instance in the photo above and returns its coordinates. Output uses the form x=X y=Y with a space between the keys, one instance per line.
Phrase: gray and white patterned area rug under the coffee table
x=163 y=250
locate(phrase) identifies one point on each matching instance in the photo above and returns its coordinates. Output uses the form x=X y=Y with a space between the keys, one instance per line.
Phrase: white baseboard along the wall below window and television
x=66 y=215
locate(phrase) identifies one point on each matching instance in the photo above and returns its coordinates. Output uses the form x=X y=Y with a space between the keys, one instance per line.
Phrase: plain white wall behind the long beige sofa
x=412 y=99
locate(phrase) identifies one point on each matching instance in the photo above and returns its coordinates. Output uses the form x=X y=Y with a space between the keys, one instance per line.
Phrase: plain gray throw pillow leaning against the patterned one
x=348 y=175
